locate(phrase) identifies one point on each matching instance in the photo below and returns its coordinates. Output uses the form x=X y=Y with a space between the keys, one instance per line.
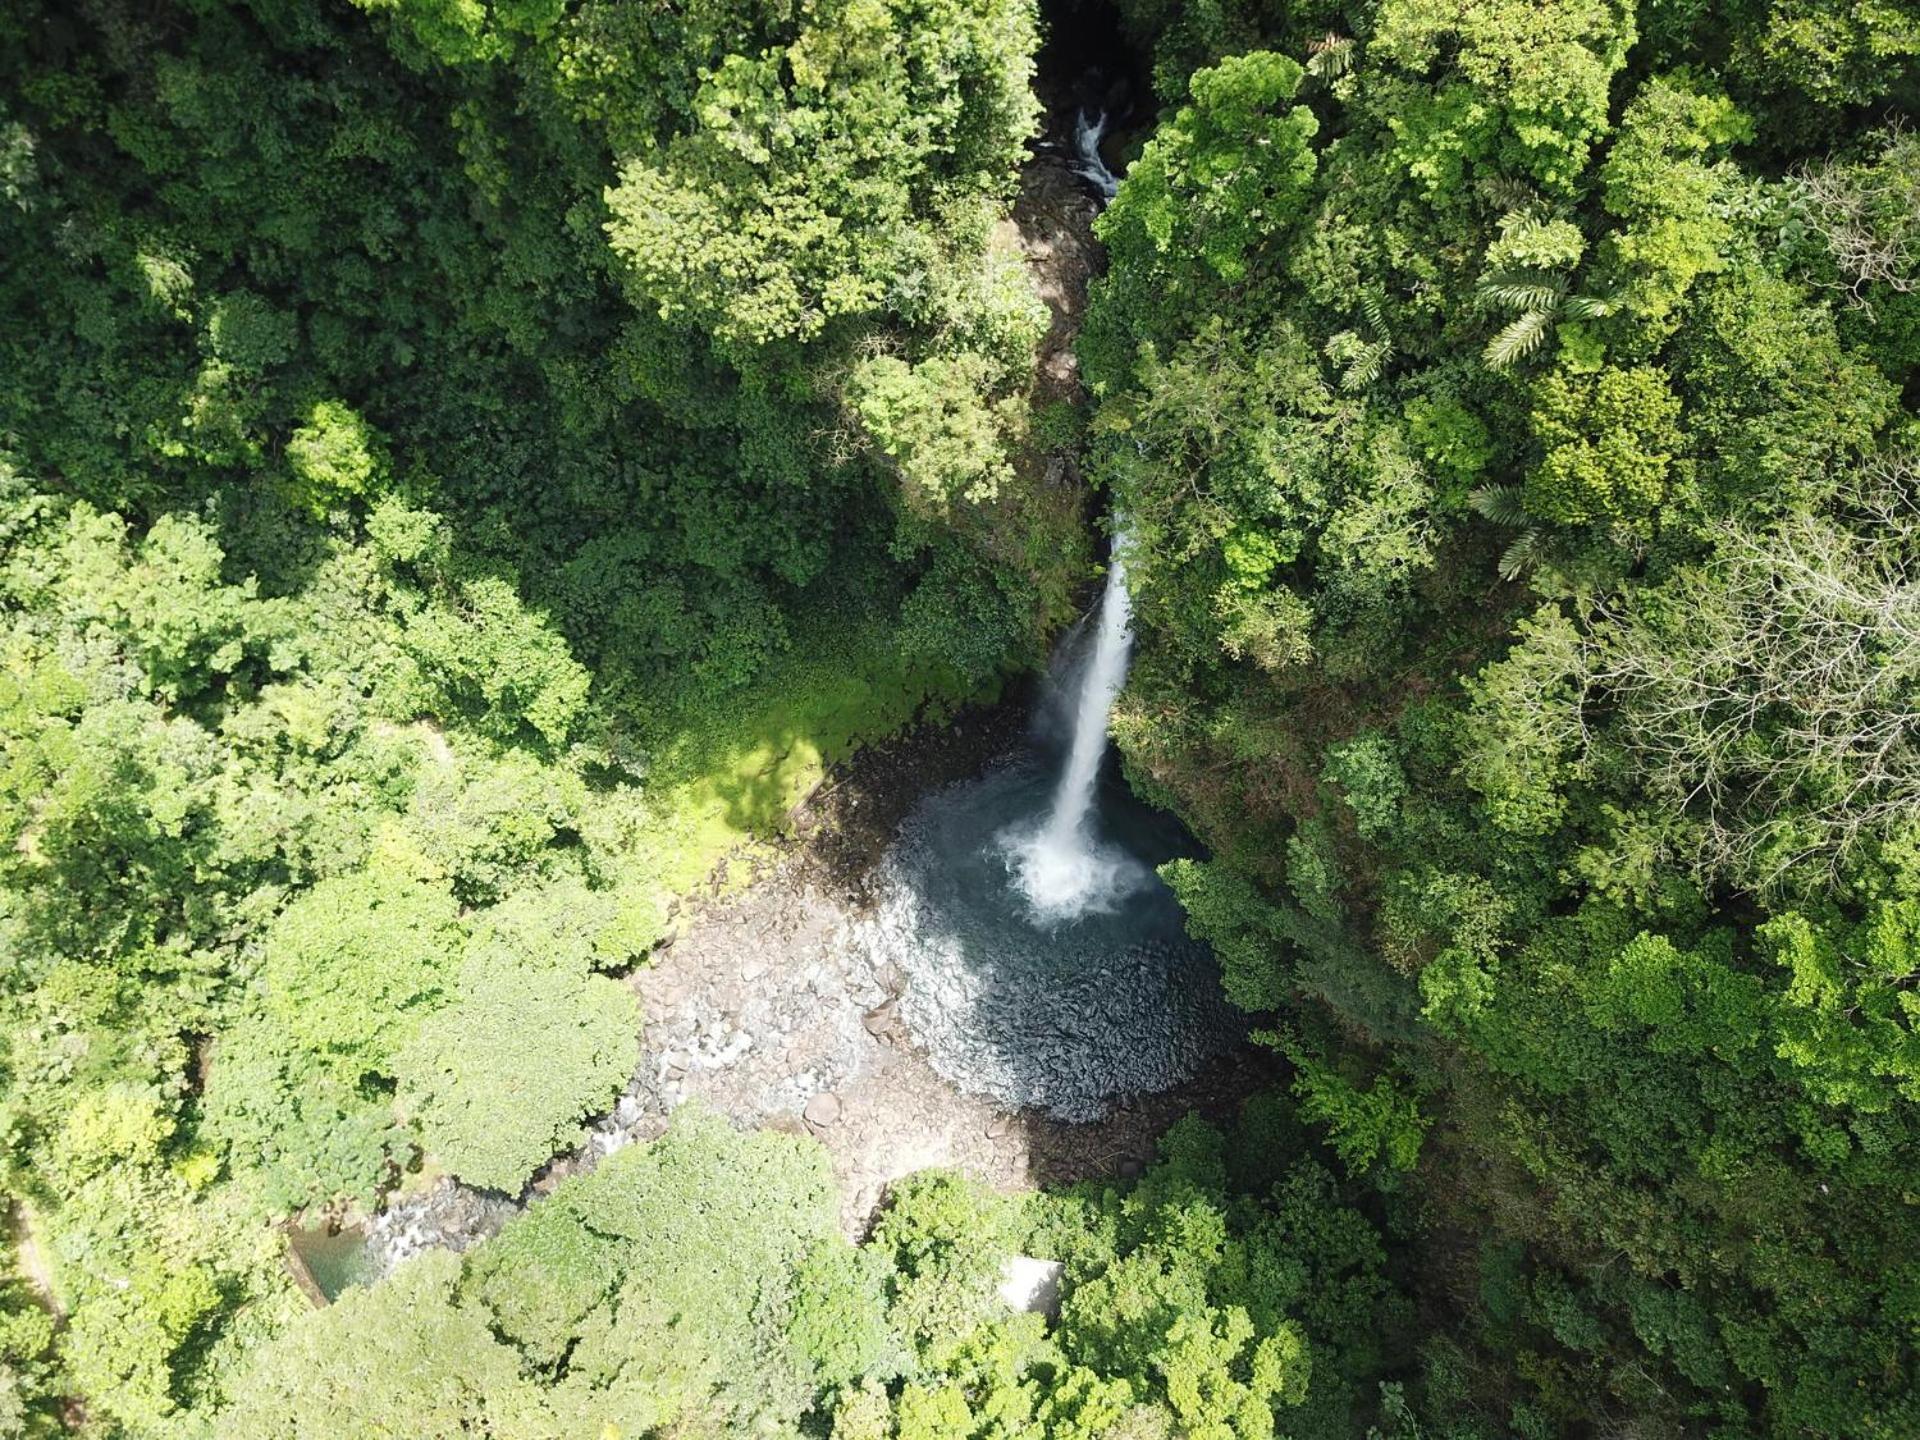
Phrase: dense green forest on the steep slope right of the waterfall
x=1524 y=491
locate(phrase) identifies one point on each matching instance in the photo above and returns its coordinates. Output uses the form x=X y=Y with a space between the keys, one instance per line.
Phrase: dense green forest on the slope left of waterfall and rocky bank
x=416 y=573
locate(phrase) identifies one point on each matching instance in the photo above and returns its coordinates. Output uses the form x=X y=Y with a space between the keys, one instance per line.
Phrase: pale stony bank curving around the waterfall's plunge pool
x=775 y=1009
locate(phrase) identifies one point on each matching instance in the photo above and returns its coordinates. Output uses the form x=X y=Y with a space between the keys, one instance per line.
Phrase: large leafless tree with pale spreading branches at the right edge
x=1775 y=692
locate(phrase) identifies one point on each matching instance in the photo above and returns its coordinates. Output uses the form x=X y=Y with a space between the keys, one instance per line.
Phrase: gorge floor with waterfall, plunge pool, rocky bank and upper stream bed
x=988 y=978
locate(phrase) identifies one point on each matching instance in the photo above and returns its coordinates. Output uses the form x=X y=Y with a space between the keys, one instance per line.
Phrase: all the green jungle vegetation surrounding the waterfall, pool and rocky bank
x=468 y=466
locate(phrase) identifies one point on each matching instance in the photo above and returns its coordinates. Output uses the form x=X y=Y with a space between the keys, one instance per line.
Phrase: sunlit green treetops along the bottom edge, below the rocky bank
x=702 y=1285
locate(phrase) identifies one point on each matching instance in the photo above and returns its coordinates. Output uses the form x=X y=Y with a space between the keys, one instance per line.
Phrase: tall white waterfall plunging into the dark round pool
x=1061 y=865
